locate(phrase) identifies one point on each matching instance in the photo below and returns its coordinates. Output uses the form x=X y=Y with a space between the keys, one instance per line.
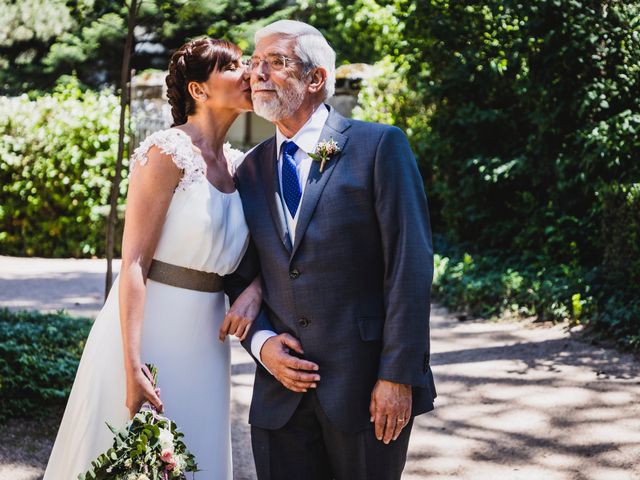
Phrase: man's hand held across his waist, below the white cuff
x=292 y=372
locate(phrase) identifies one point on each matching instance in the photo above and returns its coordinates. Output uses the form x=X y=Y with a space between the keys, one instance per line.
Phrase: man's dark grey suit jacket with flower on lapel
x=355 y=285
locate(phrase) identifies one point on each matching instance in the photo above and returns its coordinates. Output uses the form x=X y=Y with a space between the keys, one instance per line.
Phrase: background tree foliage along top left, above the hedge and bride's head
x=43 y=39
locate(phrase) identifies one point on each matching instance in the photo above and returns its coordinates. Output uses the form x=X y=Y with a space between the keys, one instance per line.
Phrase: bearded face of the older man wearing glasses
x=277 y=89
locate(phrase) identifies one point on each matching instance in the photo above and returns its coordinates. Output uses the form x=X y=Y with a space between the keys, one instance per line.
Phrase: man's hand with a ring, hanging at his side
x=390 y=409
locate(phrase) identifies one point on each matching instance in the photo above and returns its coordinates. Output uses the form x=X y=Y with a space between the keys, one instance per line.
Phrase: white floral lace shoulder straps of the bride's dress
x=178 y=145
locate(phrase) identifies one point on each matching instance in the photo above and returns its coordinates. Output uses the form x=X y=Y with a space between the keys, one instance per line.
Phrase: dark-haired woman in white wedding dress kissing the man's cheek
x=184 y=230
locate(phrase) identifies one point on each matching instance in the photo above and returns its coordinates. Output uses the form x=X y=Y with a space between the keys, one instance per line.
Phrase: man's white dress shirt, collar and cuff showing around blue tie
x=306 y=139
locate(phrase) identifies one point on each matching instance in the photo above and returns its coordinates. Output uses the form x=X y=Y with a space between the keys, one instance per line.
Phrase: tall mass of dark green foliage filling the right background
x=524 y=117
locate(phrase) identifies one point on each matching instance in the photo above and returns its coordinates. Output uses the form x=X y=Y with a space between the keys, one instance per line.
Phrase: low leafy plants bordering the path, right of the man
x=492 y=286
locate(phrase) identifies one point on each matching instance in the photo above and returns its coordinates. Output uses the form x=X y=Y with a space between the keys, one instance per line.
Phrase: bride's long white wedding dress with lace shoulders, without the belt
x=204 y=230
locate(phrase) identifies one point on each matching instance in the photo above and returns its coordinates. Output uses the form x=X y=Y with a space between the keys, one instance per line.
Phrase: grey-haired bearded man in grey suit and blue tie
x=344 y=246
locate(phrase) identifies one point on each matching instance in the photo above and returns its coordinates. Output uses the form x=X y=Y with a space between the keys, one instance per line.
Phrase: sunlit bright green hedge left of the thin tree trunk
x=57 y=156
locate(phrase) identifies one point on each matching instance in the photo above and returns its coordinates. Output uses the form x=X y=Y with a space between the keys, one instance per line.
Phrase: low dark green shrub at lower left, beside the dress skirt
x=39 y=356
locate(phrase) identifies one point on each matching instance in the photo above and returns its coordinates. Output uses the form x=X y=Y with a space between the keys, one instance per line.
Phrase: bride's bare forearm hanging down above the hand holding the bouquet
x=132 y=298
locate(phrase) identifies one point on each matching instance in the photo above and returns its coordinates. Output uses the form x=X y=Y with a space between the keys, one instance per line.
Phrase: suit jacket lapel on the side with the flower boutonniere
x=334 y=127
